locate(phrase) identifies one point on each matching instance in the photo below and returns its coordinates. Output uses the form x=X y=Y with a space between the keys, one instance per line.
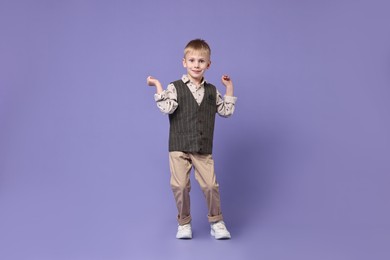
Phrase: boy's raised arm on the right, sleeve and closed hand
x=226 y=105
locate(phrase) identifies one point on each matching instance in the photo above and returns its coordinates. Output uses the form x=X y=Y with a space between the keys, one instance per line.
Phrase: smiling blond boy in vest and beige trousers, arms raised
x=191 y=104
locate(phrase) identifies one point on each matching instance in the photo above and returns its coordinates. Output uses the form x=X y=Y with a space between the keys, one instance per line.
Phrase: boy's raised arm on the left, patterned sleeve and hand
x=166 y=100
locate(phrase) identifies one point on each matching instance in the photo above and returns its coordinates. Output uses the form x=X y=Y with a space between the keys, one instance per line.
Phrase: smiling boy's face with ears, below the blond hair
x=196 y=63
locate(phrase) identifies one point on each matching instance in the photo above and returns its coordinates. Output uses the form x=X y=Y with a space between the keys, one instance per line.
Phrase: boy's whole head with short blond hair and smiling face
x=196 y=59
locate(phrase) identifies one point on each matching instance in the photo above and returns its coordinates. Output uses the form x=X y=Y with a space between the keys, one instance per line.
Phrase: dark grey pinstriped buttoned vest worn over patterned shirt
x=192 y=125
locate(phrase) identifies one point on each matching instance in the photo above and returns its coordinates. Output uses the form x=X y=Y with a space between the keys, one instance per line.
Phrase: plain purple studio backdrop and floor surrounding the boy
x=303 y=164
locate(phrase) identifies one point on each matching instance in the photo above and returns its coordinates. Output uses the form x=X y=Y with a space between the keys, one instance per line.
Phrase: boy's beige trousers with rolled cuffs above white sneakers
x=181 y=164
